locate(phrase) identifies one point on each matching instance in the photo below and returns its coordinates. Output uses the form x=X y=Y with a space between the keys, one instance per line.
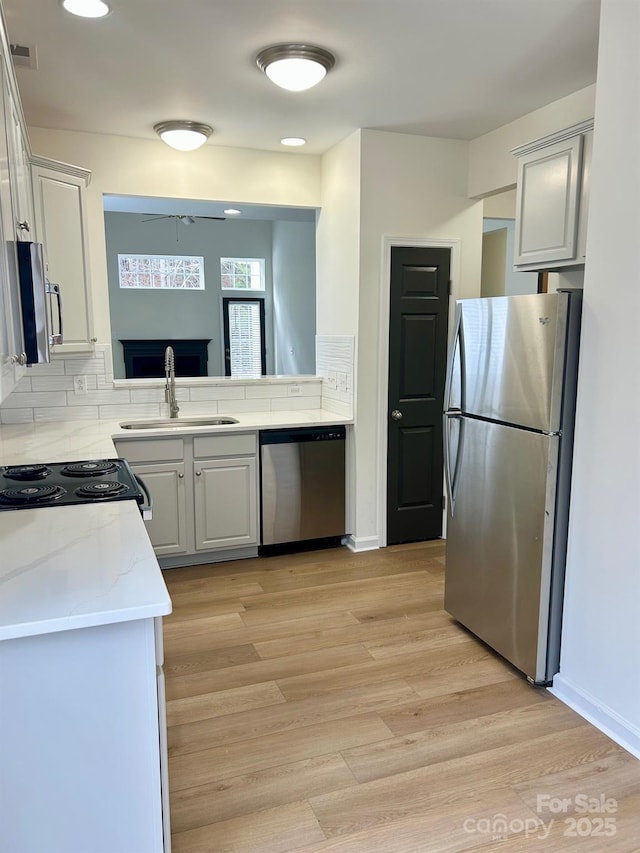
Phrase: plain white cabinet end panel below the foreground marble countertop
x=80 y=742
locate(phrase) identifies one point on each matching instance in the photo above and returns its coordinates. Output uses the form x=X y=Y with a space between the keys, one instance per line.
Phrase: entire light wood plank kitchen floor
x=326 y=702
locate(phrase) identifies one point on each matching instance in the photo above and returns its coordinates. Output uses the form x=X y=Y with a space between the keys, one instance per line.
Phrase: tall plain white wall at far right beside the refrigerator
x=599 y=672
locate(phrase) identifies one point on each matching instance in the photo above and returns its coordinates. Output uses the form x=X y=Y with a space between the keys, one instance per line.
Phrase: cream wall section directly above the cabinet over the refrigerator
x=492 y=167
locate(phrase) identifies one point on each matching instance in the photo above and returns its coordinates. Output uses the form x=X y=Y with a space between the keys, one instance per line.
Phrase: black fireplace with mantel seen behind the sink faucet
x=145 y=359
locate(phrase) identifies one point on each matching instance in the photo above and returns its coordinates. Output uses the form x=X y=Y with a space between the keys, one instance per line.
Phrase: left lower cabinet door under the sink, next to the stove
x=167 y=529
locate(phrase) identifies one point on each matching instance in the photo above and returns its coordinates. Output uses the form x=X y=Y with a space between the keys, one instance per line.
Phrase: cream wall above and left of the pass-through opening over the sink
x=123 y=166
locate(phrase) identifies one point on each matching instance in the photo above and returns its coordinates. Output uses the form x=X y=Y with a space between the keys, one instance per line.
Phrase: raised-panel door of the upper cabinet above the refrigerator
x=547 y=203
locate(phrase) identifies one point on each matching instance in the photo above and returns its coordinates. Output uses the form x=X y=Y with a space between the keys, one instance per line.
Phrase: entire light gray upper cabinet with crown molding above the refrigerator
x=552 y=199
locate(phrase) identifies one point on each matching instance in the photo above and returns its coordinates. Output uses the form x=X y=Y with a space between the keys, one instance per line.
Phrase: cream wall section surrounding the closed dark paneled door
x=412 y=188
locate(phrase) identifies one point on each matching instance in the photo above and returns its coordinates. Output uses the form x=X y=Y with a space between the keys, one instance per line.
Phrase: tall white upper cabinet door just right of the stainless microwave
x=60 y=224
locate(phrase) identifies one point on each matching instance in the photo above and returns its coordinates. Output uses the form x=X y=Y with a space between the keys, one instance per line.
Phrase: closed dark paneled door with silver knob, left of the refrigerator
x=418 y=315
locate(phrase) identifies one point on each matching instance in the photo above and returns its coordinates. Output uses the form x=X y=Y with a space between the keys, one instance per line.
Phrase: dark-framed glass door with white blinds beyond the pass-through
x=244 y=347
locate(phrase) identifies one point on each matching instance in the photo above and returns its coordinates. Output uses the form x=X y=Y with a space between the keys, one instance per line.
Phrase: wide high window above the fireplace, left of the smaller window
x=161 y=272
